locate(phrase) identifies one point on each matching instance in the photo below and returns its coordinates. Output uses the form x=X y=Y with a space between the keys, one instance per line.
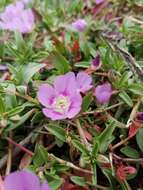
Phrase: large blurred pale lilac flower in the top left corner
x=16 y=17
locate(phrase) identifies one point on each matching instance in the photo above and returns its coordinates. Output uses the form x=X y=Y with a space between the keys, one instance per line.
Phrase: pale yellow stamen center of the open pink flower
x=61 y=104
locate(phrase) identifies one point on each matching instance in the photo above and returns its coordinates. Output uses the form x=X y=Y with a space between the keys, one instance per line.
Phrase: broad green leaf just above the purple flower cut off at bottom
x=41 y=156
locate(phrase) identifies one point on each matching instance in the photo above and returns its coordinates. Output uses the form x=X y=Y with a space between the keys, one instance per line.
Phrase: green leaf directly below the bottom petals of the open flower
x=57 y=131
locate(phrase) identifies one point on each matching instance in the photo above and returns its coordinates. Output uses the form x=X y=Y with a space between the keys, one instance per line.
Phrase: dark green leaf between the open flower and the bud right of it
x=86 y=101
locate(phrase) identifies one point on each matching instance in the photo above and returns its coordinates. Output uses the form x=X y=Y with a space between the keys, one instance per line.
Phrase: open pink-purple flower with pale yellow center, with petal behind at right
x=63 y=99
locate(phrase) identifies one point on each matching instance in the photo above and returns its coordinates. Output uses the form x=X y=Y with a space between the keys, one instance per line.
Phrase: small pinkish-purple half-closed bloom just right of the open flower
x=103 y=93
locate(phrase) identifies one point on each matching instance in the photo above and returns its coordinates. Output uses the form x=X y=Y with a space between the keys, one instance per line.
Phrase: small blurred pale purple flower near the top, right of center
x=79 y=25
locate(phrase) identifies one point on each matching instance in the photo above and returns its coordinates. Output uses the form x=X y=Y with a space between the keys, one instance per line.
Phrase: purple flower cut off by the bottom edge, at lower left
x=24 y=180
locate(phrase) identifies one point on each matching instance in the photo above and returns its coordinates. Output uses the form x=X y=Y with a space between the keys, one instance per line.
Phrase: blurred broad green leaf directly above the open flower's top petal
x=60 y=62
